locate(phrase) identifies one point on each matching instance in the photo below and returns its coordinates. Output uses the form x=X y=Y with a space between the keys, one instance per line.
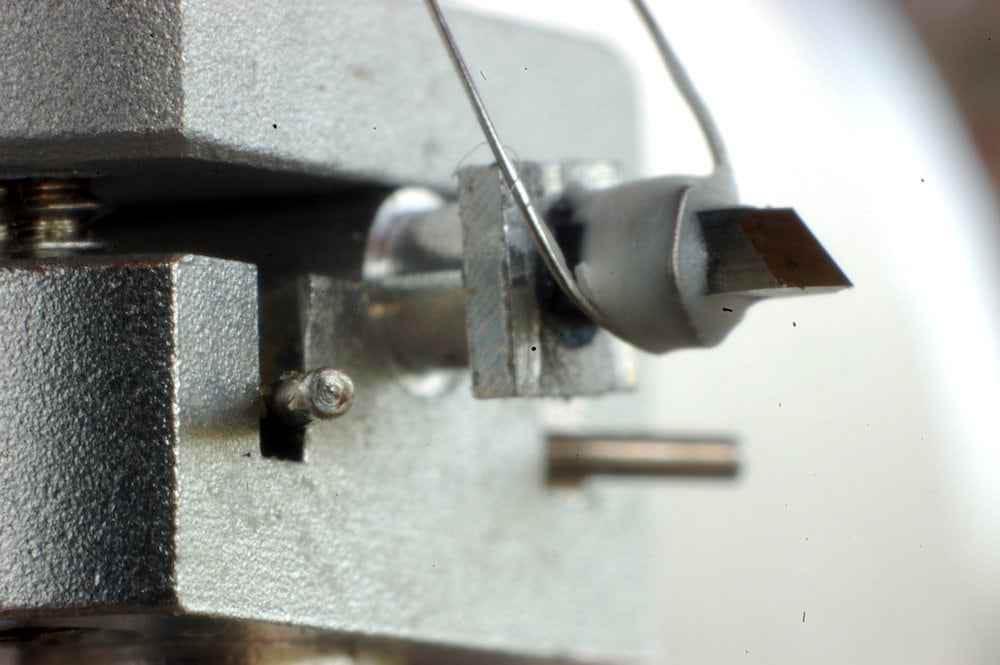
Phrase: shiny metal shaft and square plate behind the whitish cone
x=447 y=291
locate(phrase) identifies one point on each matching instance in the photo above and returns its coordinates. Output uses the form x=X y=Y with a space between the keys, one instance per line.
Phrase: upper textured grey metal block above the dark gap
x=349 y=88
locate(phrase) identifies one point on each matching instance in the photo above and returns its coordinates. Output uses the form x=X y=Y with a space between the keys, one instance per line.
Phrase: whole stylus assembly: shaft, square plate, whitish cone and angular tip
x=454 y=286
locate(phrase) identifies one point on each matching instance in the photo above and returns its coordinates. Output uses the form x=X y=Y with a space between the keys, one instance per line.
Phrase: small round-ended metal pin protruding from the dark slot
x=320 y=394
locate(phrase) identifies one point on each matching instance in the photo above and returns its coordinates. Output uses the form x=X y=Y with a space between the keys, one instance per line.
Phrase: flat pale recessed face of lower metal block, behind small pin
x=415 y=518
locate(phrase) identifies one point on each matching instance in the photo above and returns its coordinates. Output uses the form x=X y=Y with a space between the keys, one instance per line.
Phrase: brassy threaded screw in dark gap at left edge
x=46 y=217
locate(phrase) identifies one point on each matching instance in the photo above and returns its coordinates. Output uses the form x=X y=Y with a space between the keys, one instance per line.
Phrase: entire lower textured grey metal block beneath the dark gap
x=133 y=476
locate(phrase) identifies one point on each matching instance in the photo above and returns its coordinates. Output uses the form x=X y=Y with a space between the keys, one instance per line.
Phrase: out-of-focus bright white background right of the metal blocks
x=866 y=527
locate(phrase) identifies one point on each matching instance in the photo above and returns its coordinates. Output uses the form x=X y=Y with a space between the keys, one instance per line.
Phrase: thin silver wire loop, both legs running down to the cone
x=545 y=240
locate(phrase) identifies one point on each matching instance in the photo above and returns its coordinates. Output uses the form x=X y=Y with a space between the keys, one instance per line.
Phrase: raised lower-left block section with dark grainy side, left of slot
x=108 y=367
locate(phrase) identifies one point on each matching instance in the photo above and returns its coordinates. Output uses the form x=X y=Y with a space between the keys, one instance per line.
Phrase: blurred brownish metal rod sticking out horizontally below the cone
x=577 y=456
